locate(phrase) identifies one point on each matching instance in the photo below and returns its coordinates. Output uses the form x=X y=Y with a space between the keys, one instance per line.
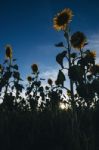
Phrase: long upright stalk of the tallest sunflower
x=75 y=126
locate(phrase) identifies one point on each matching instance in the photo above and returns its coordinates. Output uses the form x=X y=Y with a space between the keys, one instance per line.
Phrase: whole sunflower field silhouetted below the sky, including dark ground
x=36 y=119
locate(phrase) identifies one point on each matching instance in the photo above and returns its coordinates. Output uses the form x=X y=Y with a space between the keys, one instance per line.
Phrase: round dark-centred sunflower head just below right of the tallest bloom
x=78 y=40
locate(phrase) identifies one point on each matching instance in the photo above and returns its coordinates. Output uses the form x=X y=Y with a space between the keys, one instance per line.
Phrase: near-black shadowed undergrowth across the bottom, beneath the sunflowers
x=49 y=130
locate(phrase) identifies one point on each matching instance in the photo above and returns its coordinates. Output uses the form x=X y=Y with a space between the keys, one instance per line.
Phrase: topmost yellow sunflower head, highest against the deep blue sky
x=62 y=19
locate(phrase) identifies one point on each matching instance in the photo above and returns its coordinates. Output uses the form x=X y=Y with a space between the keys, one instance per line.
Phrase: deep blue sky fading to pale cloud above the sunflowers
x=28 y=26
